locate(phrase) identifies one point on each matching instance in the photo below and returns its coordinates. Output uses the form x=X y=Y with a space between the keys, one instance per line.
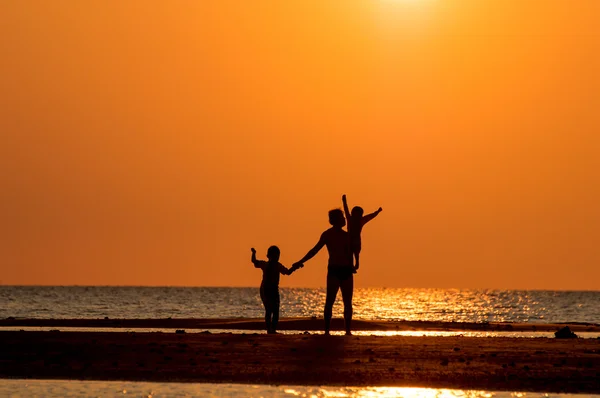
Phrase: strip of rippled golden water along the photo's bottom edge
x=71 y=388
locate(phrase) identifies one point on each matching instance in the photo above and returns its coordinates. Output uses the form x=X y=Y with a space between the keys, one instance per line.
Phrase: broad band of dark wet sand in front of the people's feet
x=506 y=364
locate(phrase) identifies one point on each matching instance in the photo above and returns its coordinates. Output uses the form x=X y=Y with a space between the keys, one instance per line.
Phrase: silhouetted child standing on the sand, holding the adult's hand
x=269 y=287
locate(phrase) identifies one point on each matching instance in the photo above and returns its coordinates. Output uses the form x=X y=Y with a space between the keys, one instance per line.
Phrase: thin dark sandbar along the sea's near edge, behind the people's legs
x=308 y=324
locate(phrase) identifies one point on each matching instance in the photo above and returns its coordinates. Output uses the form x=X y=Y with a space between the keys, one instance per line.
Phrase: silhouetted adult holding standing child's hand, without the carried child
x=339 y=270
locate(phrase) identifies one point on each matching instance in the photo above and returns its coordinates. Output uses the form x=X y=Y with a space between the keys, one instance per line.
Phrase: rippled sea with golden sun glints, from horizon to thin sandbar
x=373 y=303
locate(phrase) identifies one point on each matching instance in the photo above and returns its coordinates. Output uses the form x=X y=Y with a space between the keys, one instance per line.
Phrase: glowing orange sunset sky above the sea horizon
x=154 y=142
